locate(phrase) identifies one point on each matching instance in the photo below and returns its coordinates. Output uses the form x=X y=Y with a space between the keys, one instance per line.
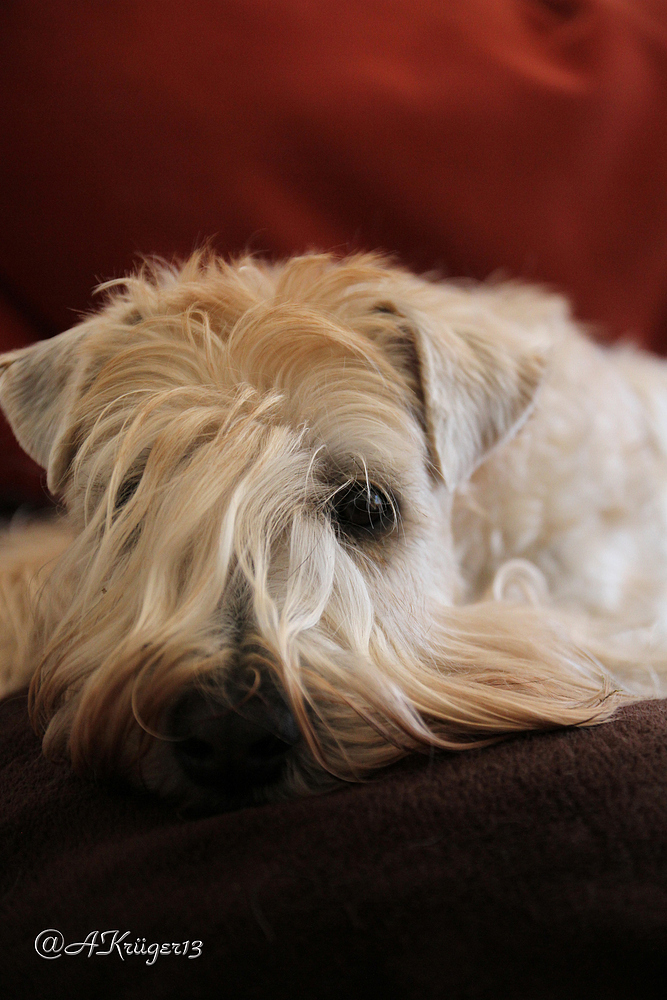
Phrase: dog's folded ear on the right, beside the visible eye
x=477 y=365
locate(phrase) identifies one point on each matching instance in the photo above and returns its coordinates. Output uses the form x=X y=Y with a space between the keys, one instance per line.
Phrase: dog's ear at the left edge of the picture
x=37 y=390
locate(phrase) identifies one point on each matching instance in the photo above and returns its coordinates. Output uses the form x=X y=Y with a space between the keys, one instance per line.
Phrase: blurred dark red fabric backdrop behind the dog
x=469 y=136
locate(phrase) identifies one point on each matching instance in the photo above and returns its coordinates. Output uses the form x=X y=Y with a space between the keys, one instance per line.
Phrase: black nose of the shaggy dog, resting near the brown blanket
x=232 y=749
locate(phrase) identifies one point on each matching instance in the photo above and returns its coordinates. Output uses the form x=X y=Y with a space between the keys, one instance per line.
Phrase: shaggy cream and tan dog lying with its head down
x=320 y=514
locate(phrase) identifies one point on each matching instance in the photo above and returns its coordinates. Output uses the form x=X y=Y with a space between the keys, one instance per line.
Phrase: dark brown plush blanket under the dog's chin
x=533 y=869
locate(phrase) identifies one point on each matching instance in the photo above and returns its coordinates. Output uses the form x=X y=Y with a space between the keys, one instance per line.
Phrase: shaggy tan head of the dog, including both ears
x=259 y=464
